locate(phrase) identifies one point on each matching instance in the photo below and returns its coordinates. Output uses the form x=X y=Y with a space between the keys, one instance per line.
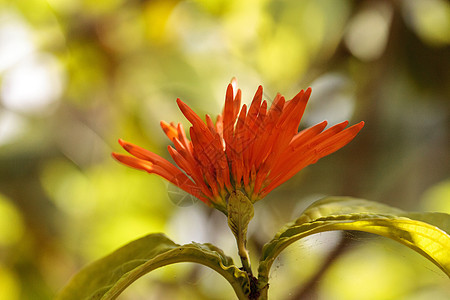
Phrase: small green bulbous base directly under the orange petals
x=240 y=212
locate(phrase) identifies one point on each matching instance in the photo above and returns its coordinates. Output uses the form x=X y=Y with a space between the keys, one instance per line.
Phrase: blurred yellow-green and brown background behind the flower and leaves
x=77 y=75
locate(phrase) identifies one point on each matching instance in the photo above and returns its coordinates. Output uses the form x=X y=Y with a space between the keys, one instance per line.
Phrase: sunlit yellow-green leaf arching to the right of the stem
x=339 y=213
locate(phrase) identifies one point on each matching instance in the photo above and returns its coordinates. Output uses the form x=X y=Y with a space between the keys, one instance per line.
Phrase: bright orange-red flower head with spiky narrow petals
x=252 y=149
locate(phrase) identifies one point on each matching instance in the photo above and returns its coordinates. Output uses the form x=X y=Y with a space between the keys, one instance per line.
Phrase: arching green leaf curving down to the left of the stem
x=109 y=276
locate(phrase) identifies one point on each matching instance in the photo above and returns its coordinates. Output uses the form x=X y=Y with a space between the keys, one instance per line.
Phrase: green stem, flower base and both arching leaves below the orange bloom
x=426 y=233
